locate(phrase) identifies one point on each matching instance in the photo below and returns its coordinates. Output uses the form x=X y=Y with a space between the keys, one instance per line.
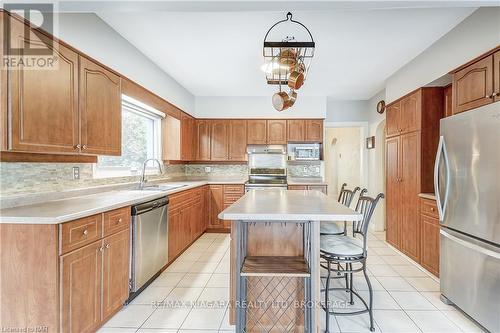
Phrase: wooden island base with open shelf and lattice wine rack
x=277 y=240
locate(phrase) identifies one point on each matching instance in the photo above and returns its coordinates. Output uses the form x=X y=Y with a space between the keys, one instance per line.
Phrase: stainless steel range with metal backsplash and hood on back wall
x=267 y=167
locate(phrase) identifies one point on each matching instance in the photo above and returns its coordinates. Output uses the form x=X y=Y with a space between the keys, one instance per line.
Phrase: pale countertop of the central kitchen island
x=279 y=205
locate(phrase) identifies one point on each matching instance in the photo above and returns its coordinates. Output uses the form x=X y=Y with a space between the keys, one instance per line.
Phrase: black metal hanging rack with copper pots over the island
x=287 y=62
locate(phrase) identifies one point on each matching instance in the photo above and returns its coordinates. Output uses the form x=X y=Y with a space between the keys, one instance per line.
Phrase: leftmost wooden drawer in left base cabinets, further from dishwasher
x=80 y=232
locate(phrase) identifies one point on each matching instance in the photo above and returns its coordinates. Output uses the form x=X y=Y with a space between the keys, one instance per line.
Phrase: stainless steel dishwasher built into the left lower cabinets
x=149 y=240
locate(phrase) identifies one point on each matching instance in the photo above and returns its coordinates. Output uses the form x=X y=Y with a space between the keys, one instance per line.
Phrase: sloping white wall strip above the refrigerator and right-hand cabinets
x=475 y=35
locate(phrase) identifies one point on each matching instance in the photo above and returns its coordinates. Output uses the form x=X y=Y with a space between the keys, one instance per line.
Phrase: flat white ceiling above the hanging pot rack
x=219 y=53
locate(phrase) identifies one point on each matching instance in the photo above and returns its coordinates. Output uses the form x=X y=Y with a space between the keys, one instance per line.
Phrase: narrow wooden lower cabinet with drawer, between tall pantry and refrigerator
x=429 y=231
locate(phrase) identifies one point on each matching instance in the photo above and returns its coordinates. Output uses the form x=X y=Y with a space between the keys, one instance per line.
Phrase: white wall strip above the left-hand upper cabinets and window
x=88 y=33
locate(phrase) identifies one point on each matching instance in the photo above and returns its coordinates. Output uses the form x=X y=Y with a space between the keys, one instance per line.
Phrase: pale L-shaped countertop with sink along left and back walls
x=64 y=210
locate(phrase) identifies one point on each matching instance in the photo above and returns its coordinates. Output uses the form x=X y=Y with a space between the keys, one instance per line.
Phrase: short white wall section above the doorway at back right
x=346 y=111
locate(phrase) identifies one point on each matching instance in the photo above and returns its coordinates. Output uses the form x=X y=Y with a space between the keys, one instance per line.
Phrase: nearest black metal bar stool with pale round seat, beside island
x=340 y=252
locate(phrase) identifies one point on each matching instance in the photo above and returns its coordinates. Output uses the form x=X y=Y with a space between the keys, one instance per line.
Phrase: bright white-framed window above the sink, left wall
x=141 y=139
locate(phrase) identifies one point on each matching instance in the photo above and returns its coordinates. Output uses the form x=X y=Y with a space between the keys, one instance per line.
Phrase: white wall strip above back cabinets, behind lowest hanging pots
x=258 y=107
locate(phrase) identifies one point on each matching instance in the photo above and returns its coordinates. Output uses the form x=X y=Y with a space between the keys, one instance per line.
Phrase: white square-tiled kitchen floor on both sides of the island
x=195 y=291
